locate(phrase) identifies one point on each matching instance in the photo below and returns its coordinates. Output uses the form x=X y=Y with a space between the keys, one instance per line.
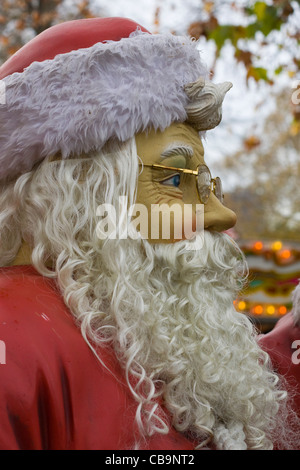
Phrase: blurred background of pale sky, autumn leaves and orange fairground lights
x=256 y=148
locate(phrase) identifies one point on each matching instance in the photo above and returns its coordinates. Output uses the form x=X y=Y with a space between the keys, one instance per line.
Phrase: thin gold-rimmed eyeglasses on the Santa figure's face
x=204 y=182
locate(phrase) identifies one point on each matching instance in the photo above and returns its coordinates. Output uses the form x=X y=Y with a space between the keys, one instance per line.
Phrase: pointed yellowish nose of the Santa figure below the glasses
x=218 y=217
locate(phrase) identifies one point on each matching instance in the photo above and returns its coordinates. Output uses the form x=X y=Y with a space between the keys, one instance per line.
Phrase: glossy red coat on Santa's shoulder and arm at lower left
x=54 y=394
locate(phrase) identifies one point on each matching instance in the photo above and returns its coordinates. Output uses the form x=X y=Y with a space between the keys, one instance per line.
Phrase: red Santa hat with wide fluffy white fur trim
x=81 y=83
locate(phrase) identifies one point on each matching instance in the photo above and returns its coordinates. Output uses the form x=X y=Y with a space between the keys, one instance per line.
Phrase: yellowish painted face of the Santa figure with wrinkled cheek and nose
x=179 y=146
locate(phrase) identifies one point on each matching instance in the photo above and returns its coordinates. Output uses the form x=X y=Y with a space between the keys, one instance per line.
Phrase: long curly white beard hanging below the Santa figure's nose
x=169 y=313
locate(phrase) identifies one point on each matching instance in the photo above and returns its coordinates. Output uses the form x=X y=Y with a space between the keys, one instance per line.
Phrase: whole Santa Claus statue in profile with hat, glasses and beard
x=116 y=311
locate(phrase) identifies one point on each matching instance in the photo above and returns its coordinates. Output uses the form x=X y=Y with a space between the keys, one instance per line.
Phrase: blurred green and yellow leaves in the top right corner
x=261 y=17
